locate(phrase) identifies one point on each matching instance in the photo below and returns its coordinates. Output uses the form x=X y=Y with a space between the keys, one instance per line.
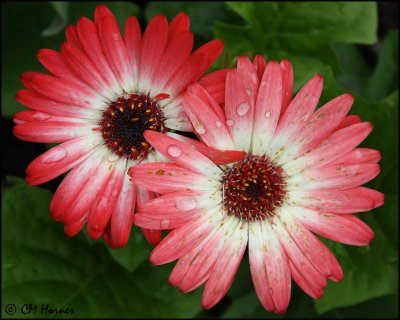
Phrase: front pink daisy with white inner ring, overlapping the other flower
x=301 y=175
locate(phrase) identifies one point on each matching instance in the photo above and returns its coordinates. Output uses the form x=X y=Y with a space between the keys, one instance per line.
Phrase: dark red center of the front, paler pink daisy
x=253 y=188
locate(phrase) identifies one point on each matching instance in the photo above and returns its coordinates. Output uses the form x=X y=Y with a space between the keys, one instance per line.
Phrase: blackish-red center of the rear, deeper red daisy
x=126 y=119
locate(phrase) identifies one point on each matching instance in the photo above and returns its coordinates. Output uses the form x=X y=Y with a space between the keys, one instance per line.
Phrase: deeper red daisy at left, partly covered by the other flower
x=102 y=91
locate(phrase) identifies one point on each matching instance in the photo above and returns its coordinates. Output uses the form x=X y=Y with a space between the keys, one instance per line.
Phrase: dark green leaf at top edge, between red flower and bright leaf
x=202 y=14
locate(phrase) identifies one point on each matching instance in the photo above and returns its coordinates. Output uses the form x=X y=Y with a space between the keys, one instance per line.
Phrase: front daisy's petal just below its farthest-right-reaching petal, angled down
x=344 y=228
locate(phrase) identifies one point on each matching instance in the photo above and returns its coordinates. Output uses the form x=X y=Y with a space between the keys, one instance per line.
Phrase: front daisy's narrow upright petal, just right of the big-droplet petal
x=268 y=108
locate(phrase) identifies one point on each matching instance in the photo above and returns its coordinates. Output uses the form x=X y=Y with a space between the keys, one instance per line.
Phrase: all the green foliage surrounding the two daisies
x=41 y=265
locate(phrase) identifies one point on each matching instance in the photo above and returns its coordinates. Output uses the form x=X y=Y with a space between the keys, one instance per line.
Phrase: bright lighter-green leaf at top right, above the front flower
x=306 y=28
